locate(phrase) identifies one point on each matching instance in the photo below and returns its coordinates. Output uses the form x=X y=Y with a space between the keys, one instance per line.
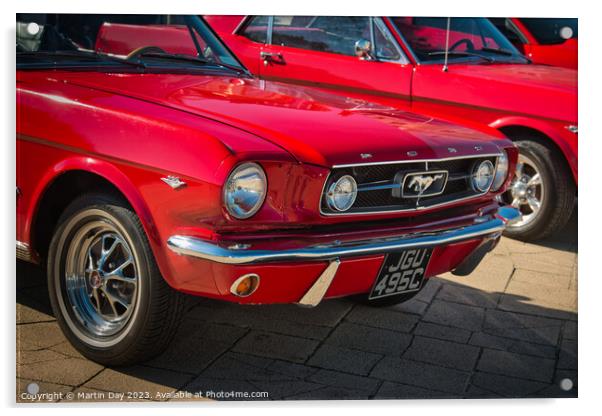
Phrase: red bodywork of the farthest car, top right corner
x=563 y=54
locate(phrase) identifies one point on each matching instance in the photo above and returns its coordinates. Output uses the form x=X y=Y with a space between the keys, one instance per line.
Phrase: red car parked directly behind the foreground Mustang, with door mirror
x=461 y=69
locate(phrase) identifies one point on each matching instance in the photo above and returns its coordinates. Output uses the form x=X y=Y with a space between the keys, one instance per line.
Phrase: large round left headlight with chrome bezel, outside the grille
x=233 y=207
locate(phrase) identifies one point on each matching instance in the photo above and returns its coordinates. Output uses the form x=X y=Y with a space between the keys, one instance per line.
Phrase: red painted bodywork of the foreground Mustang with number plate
x=134 y=129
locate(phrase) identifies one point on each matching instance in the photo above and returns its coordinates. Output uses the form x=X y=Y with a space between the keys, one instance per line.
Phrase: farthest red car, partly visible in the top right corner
x=549 y=41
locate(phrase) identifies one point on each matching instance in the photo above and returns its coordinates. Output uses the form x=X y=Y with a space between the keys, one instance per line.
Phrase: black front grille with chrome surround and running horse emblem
x=379 y=184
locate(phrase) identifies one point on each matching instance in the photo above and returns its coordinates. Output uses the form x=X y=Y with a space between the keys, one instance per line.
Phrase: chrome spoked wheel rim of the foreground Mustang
x=75 y=280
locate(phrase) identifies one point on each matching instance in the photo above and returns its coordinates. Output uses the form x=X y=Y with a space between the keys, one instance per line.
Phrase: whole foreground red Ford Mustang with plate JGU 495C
x=150 y=162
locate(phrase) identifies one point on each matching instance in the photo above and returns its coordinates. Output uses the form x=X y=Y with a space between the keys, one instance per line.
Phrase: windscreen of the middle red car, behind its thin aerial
x=470 y=38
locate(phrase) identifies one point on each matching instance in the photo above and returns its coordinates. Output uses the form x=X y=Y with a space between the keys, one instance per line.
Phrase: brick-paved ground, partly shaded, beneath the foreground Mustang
x=507 y=330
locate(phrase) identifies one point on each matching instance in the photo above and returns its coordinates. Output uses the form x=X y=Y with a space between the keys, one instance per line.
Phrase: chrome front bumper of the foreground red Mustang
x=208 y=250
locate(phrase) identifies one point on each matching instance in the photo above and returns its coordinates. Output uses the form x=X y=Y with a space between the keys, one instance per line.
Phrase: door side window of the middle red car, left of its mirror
x=333 y=34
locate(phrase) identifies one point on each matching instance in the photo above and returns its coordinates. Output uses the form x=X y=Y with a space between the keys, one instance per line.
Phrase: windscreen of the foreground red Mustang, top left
x=126 y=41
